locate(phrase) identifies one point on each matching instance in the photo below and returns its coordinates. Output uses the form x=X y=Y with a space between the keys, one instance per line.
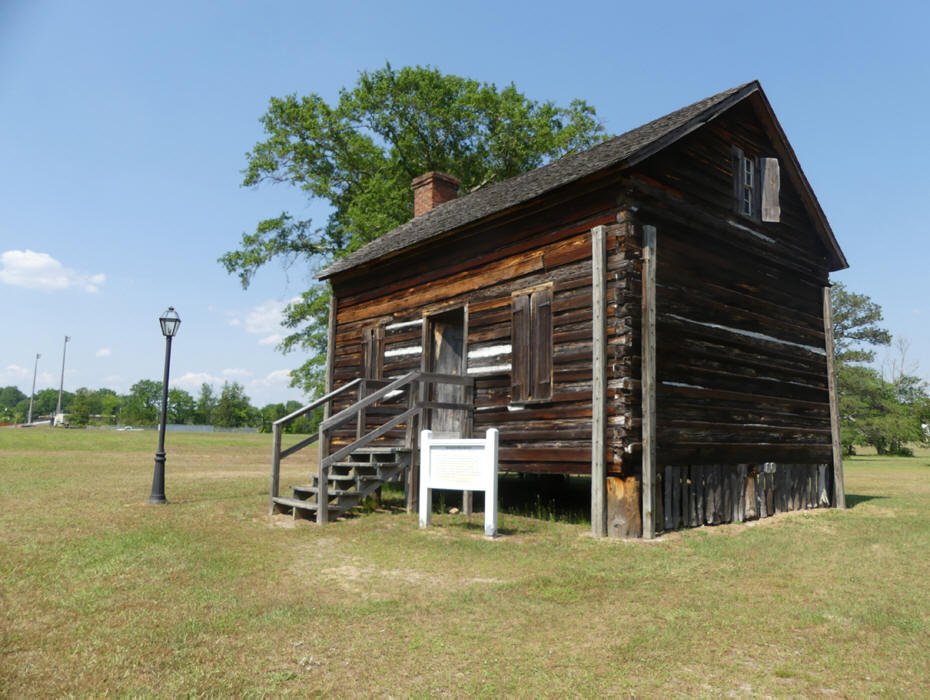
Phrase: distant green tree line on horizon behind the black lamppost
x=230 y=408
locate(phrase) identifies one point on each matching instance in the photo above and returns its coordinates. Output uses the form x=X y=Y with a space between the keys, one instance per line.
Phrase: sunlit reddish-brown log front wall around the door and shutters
x=551 y=247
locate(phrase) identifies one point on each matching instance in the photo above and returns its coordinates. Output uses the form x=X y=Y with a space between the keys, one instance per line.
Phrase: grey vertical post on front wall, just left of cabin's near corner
x=599 y=381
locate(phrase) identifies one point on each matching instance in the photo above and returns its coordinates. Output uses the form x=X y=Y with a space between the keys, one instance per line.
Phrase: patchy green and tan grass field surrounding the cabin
x=101 y=593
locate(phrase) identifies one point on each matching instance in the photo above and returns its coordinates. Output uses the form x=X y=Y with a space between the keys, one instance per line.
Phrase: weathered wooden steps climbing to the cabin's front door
x=348 y=483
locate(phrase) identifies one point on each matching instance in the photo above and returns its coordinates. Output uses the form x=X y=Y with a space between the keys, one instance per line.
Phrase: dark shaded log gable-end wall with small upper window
x=741 y=363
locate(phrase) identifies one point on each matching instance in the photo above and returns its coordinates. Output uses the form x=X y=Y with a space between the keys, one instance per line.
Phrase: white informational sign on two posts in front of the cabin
x=460 y=465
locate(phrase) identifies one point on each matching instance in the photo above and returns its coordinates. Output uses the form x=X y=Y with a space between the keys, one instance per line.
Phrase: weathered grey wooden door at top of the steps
x=446 y=338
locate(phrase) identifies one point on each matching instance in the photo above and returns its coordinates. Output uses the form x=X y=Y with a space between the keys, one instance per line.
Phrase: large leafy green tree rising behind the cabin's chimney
x=359 y=156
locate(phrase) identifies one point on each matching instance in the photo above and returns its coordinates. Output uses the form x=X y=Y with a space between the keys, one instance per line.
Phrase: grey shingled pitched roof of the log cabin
x=626 y=149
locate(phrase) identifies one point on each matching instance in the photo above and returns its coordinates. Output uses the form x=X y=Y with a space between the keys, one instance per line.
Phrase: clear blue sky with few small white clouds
x=124 y=128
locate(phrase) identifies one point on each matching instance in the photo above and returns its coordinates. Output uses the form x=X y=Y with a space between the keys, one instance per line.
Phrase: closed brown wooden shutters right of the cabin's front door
x=531 y=336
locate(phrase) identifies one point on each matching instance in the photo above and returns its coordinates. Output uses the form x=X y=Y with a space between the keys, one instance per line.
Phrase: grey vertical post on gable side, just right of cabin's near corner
x=648 y=383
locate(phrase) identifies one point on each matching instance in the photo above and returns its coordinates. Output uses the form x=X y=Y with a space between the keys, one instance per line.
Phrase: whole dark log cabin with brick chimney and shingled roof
x=652 y=312
